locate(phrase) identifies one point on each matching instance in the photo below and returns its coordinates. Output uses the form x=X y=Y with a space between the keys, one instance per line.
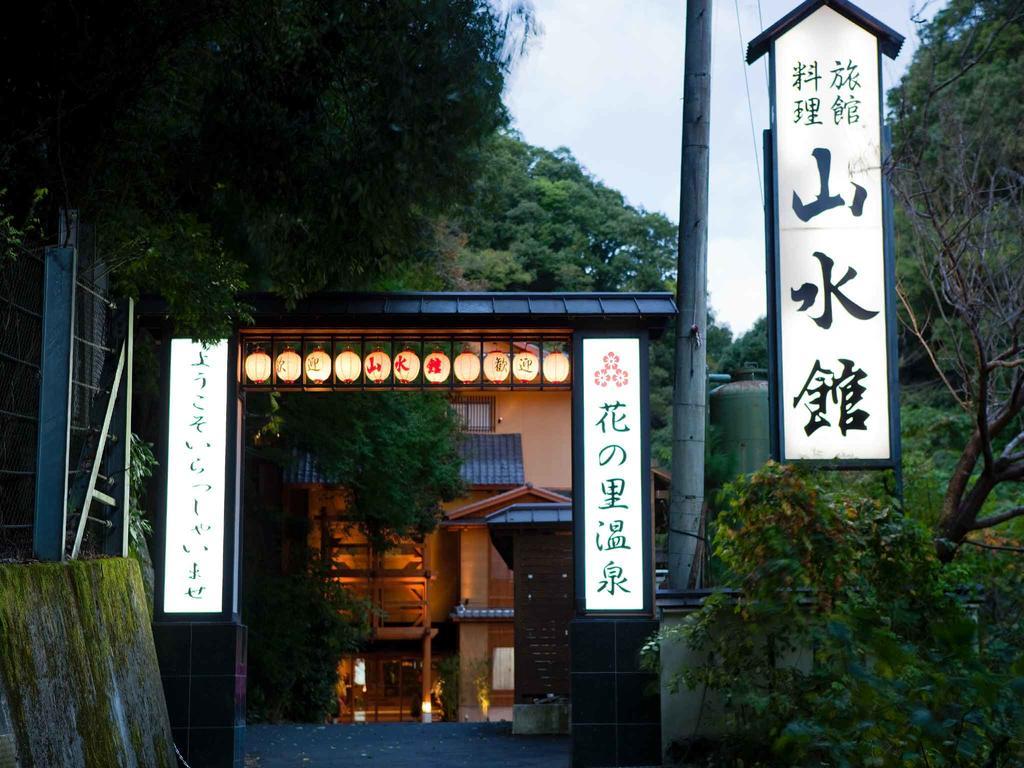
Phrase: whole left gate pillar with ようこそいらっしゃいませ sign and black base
x=201 y=643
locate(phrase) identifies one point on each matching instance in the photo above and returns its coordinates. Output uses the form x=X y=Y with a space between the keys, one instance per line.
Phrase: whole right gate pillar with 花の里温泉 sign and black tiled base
x=616 y=716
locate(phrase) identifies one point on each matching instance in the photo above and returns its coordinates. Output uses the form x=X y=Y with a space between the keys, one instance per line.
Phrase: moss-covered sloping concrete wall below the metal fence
x=78 y=668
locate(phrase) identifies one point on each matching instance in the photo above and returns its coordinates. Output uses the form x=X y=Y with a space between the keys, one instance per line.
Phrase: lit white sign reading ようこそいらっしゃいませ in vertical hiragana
x=194 y=537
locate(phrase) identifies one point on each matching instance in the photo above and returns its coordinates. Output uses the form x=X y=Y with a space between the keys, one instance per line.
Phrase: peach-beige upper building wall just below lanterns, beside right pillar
x=545 y=421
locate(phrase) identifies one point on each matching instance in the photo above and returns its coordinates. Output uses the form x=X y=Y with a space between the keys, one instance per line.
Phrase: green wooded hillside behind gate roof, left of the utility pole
x=538 y=221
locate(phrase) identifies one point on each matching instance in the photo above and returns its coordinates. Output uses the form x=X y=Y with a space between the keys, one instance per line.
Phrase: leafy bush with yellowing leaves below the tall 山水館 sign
x=840 y=641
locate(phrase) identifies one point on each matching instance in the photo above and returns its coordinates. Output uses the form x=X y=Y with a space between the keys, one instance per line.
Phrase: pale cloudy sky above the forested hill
x=605 y=78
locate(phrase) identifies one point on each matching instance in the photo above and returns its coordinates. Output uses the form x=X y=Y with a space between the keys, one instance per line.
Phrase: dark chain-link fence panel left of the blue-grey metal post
x=21 y=339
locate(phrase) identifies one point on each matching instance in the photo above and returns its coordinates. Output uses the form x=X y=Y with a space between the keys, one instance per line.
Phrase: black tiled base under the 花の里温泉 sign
x=617 y=708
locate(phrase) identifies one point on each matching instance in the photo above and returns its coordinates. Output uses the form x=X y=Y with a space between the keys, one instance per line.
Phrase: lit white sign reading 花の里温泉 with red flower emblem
x=614 y=431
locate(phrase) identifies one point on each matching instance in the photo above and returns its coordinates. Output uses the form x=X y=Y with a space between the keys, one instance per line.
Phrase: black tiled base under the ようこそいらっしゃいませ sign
x=203 y=669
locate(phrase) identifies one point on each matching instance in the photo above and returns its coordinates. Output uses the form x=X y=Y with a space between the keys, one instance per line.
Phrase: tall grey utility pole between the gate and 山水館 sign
x=689 y=401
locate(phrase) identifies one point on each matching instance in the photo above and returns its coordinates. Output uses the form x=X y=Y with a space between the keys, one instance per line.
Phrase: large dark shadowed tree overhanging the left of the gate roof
x=226 y=145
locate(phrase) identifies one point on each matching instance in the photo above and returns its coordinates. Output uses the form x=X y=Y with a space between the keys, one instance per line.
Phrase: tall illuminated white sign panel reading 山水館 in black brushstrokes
x=833 y=358
